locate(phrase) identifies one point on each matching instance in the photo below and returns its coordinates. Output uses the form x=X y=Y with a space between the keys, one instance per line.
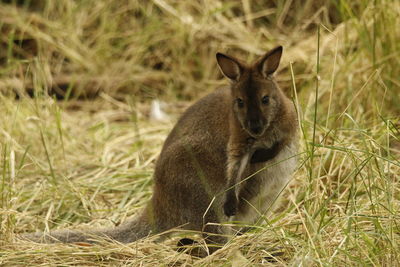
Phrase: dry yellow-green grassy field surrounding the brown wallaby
x=78 y=146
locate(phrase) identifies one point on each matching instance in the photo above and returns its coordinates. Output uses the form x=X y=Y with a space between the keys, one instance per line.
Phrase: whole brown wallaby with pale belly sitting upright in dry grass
x=223 y=138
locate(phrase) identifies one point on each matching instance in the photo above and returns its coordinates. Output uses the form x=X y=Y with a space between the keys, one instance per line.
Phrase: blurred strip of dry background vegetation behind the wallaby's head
x=166 y=48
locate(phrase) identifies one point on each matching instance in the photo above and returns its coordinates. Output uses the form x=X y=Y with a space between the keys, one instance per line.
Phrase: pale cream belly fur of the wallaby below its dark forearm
x=262 y=189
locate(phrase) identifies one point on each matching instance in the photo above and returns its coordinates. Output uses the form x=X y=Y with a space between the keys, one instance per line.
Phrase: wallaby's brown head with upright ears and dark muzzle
x=256 y=97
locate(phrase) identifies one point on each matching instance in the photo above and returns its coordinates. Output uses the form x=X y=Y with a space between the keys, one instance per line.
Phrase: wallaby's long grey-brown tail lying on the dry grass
x=132 y=230
